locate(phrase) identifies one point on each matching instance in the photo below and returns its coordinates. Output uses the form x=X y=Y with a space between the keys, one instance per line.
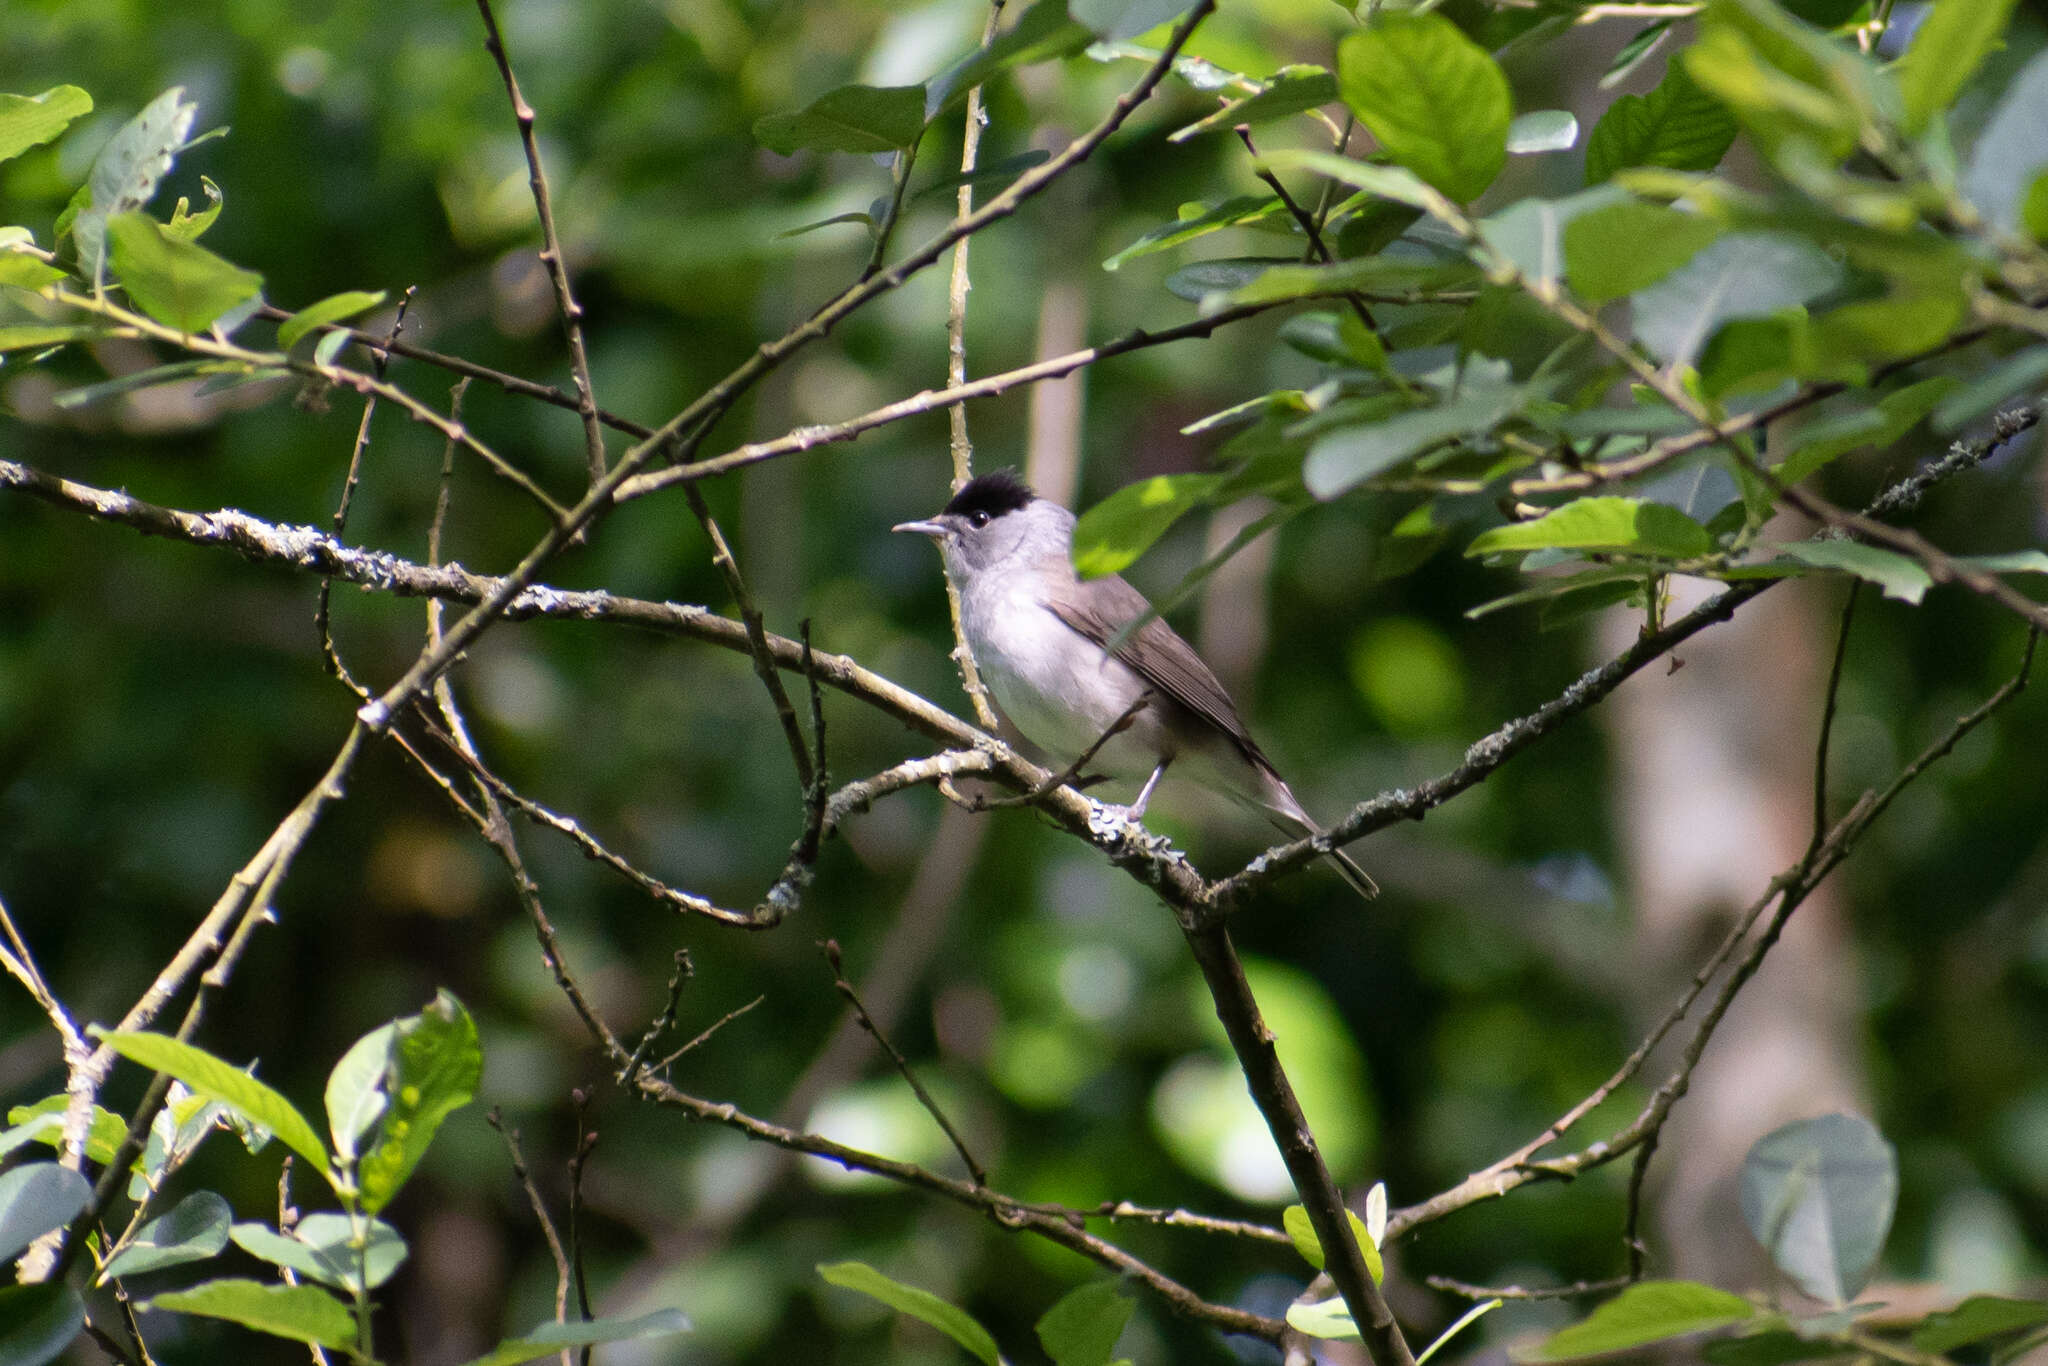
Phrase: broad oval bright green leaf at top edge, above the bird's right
x=1433 y=97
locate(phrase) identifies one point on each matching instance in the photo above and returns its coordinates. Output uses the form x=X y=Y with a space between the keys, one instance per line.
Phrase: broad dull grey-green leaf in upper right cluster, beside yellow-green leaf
x=1742 y=275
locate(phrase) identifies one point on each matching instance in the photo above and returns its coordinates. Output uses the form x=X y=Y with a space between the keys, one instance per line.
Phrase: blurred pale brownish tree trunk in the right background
x=1713 y=789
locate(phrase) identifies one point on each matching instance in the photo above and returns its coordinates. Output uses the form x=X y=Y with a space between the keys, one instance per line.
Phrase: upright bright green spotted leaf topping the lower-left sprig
x=435 y=1070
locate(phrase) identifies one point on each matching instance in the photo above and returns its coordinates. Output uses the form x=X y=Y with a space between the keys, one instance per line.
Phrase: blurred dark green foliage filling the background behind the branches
x=161 y=708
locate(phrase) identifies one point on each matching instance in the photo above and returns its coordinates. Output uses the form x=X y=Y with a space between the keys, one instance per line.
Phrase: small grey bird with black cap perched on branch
x=1041 y=638
